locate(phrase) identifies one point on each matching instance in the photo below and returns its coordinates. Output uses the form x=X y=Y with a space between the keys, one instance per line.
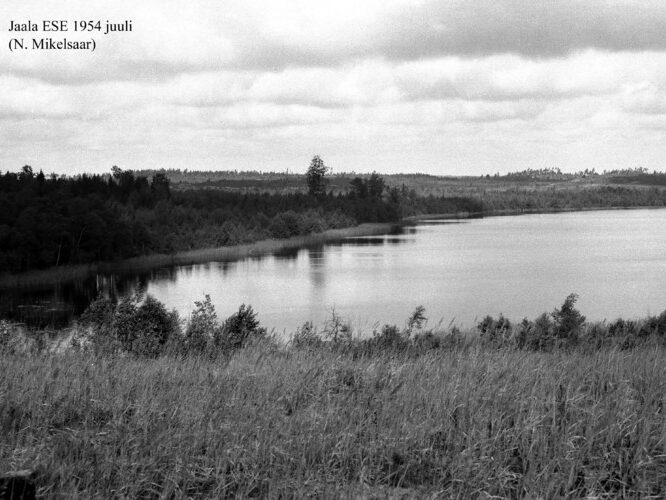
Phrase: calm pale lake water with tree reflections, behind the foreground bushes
x=459 y=270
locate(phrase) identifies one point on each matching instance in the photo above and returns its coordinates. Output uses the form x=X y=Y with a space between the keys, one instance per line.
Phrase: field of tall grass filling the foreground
x=467 y=422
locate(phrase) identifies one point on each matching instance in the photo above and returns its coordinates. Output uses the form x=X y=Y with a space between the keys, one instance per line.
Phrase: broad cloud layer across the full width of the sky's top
x=171 y=38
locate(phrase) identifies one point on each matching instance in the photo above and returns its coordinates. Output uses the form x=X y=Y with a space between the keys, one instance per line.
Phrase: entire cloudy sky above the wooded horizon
x=432 y=86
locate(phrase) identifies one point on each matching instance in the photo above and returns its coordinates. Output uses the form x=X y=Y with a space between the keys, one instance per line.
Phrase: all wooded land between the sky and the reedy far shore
x=57 y=220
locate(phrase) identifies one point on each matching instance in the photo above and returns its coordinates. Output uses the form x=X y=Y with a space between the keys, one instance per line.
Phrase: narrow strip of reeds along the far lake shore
x=62 y=274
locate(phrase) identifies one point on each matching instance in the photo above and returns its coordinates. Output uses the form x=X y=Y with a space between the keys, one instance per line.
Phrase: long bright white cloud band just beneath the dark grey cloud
x=380 y=82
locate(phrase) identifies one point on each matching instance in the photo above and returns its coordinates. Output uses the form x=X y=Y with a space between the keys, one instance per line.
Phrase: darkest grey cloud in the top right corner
x=528 y=28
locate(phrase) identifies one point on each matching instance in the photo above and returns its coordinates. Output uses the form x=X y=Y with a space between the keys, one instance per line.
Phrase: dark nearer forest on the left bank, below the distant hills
x=60 y=220
